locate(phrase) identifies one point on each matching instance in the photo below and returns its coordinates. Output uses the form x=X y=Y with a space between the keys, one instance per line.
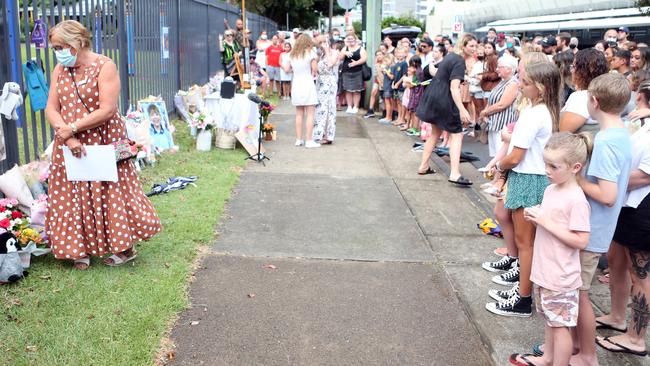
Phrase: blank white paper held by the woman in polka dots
x=97 y=165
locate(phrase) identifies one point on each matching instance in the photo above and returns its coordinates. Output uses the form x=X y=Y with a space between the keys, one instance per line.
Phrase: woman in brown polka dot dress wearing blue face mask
x=90 y=218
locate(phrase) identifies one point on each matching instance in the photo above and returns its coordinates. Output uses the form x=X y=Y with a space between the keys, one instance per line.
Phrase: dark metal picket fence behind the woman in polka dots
x=159 y=46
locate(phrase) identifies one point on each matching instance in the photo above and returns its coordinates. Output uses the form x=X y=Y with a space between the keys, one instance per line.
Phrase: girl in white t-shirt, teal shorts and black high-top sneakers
x=527 y=179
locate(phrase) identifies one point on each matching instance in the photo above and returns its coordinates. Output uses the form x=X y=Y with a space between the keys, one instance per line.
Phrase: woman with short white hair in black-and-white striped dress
x=501 y=108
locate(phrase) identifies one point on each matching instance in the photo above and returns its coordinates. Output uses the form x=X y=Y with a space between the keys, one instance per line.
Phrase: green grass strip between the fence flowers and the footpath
x=117 y=316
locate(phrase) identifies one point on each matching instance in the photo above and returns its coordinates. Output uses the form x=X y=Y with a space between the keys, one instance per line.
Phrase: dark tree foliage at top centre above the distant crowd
x=302 y=13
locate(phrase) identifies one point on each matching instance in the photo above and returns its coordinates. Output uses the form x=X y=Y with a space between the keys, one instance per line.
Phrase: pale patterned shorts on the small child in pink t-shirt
x=559 y=308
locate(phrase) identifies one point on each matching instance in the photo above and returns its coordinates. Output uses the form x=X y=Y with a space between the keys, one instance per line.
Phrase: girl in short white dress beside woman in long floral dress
x=303 y=62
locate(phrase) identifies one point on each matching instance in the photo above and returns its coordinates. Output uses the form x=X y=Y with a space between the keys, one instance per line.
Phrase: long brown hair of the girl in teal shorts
x=546 y=78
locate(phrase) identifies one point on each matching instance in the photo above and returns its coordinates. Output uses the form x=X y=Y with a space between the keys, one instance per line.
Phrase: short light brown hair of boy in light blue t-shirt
x=612 y=91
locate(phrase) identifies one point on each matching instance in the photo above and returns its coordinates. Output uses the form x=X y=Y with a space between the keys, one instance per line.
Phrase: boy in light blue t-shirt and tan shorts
x=605 y=186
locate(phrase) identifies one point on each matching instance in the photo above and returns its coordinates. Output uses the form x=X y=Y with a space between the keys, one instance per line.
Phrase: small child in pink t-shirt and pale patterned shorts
x=563 y=228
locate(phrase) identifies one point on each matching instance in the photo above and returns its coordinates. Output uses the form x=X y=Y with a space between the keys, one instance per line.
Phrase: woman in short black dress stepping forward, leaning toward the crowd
x=442 y=106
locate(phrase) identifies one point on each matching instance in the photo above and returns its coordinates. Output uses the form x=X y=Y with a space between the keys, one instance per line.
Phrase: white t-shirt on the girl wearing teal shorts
x=532 y=131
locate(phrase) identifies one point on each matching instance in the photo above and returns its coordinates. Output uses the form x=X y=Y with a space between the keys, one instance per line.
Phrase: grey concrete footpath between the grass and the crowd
x=344 y=256
